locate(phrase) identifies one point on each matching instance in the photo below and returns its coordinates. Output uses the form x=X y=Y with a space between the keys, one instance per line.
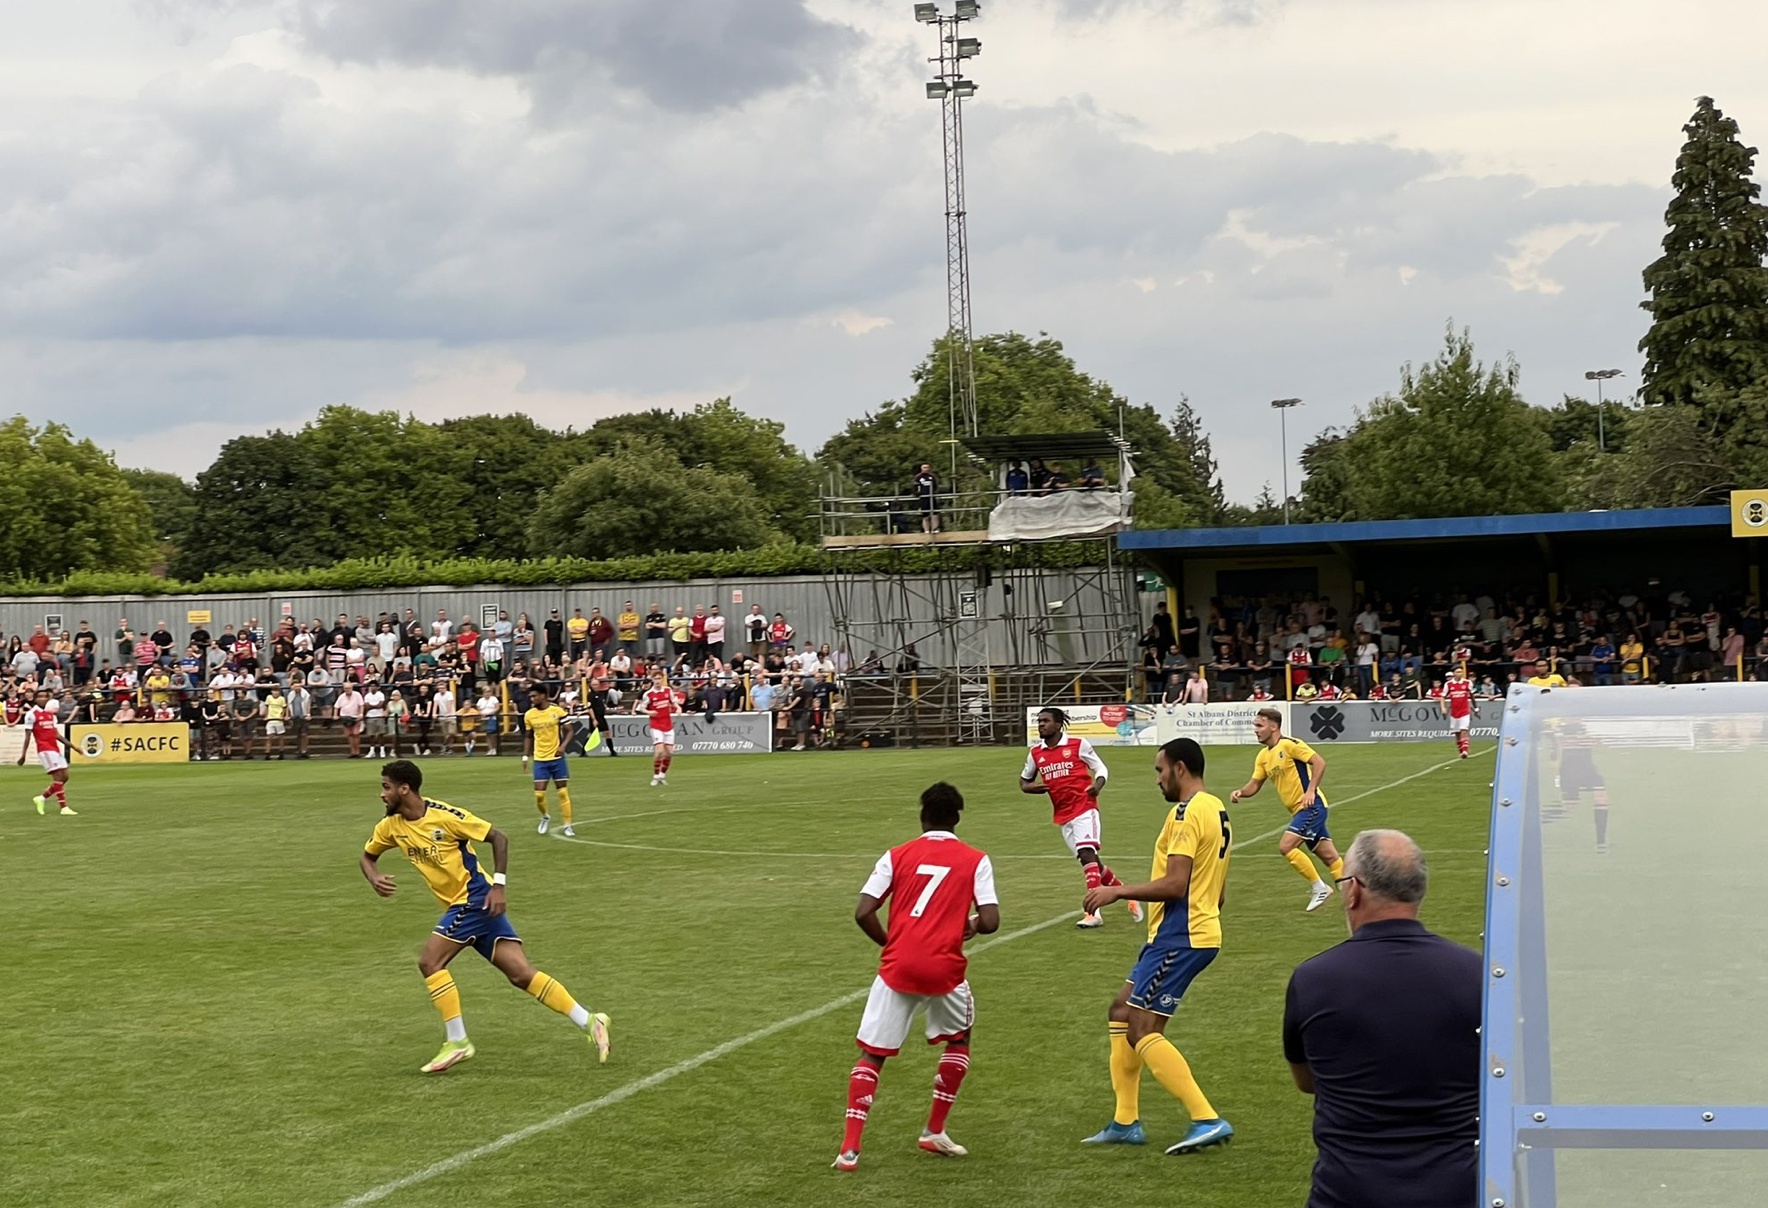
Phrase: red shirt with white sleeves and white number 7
x=929 y=883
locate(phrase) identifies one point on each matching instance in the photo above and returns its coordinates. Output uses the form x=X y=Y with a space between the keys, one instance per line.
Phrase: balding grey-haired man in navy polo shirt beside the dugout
x=1385 y=1034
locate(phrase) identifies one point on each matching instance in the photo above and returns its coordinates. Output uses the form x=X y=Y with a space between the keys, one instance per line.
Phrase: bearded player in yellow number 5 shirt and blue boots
x=1185 y=896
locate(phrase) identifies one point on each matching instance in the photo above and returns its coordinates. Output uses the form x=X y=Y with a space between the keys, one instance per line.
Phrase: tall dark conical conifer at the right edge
x=1709 y=291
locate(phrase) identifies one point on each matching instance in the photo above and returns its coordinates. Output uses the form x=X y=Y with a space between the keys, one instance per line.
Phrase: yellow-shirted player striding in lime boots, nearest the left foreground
x=438 y=839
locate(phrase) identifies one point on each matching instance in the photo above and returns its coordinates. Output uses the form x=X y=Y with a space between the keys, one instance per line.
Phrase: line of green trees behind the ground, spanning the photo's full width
x=1456 y=438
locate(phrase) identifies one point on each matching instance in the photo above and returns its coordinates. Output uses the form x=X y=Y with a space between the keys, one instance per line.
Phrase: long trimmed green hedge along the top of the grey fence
x=367 y=574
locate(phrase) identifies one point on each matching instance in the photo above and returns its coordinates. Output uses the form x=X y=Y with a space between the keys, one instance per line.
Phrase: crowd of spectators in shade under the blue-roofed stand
x=1405 y=648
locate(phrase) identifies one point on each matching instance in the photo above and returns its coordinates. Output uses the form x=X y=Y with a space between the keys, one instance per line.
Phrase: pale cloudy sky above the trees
x=222 y=215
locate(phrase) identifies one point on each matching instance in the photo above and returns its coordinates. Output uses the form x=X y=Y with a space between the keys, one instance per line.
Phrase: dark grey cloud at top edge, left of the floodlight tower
x=683 y=56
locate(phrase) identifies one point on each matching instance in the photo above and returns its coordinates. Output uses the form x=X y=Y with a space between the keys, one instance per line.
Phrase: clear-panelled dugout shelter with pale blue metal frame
x=1626 y=986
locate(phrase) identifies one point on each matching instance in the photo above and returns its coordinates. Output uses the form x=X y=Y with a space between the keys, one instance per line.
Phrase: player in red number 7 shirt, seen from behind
x=931 y=883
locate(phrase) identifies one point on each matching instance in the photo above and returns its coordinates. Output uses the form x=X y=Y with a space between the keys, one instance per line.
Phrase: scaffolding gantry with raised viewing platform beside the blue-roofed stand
x=1003 y=600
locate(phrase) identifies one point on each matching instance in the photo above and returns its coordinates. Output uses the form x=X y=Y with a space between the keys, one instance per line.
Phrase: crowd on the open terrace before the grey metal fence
x=400 y=684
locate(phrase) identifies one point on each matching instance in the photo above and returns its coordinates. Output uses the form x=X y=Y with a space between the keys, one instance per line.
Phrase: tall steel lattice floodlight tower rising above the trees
x=952 y=89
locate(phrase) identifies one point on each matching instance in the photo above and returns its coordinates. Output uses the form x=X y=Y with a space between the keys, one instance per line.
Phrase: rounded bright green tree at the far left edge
x=66 y=507
